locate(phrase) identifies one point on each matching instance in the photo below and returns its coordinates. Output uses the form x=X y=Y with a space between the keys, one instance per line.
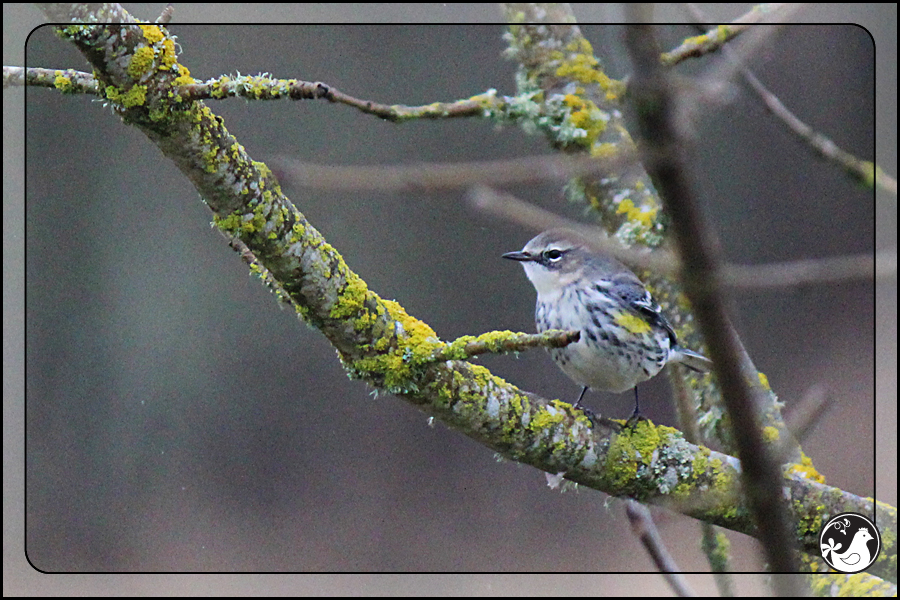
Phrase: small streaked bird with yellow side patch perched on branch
x=625 y=339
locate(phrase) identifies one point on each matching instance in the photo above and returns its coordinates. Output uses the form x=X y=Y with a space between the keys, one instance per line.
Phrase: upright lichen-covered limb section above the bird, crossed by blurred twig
x=564 y=92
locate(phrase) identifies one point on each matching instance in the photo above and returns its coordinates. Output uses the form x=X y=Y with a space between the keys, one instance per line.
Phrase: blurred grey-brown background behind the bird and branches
x=176 y=418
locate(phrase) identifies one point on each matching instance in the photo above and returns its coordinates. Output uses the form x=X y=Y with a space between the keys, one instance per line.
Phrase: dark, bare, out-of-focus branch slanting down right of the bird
x=655 y=105
